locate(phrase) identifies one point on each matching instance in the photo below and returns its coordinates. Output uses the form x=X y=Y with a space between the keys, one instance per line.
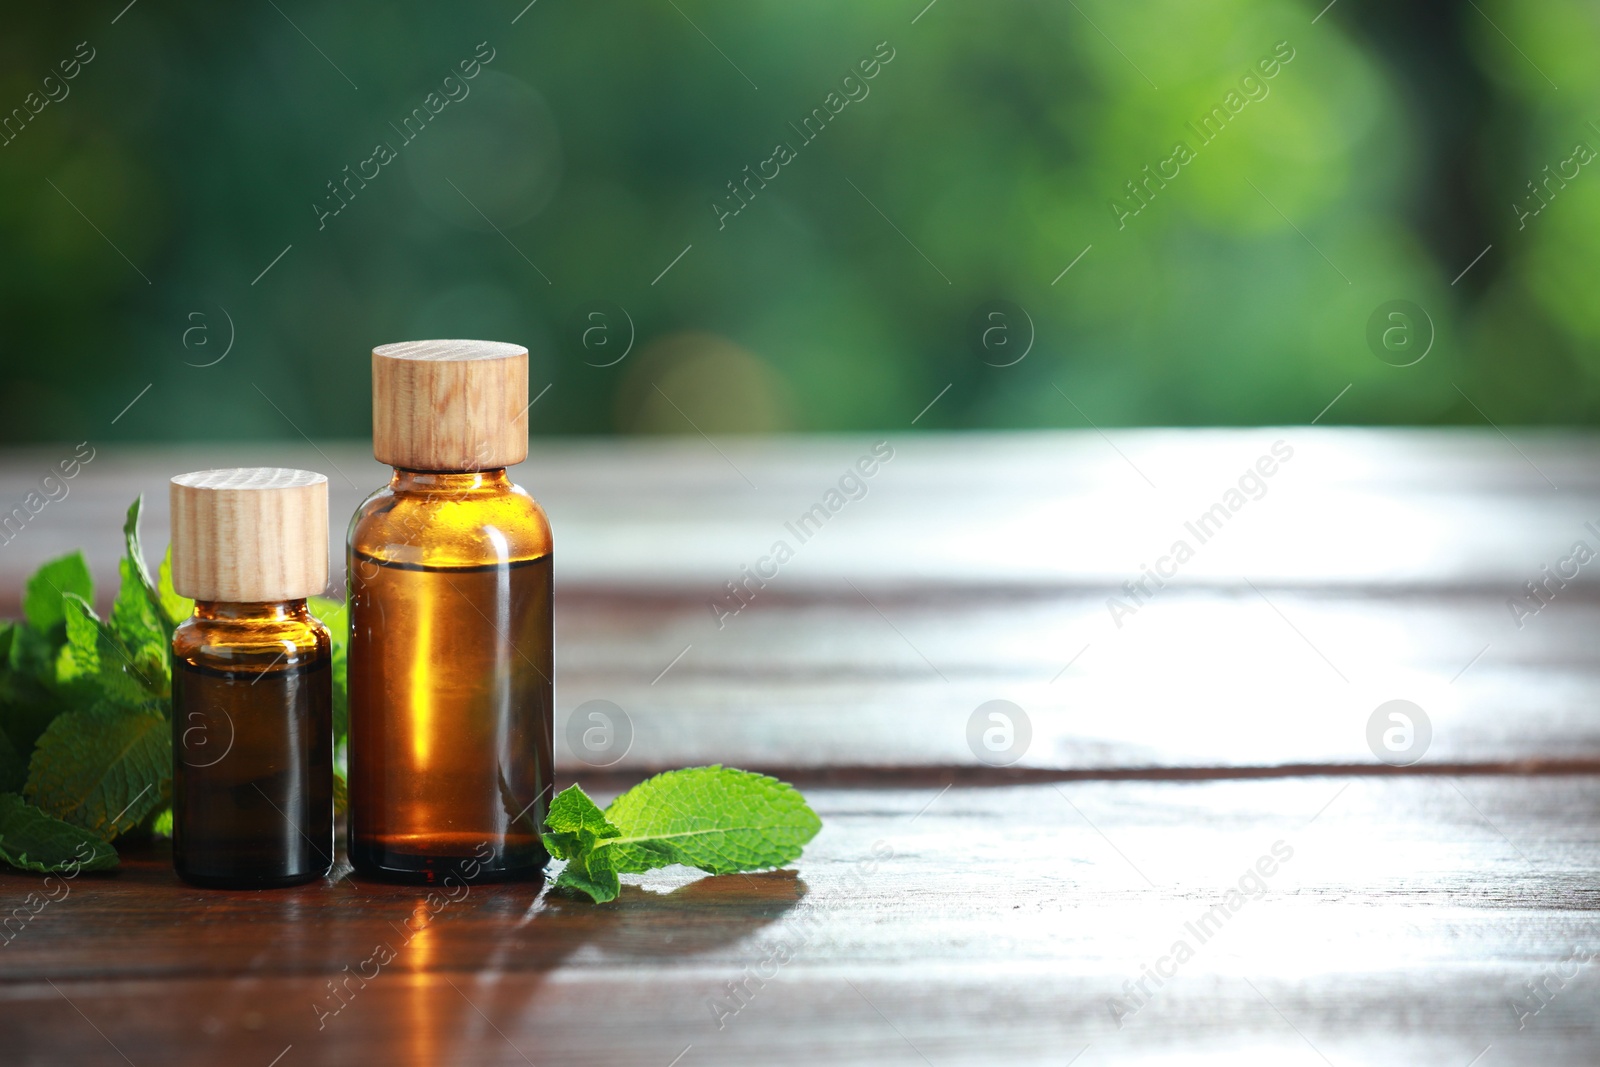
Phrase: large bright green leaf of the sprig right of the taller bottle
x=714 y=818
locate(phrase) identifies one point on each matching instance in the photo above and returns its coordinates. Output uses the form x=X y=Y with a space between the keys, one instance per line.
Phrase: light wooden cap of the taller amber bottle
x=450 y=406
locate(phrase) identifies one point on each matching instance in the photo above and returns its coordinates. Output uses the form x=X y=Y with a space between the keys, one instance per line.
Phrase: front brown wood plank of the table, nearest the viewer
x=996 y=929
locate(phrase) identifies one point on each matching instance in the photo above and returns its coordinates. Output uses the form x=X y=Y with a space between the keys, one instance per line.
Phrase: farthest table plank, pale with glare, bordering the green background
x=1020 y=511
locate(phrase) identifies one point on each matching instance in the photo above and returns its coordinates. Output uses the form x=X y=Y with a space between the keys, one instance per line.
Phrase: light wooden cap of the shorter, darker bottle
x=249 y=535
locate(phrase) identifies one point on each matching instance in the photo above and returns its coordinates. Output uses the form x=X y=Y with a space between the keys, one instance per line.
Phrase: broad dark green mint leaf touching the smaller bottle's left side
x=103 y=769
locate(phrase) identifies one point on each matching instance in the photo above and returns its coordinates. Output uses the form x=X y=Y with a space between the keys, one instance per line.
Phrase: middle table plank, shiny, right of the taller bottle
x=1193 y=681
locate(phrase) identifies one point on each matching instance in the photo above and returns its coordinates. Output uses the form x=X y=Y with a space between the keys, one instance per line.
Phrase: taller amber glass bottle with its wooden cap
x=452 y=695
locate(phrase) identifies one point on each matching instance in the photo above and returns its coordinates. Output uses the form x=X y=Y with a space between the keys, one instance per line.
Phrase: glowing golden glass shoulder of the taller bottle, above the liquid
x=450 y=529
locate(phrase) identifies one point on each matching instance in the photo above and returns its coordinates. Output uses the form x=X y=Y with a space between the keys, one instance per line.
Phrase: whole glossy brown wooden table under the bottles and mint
x=1198 y=857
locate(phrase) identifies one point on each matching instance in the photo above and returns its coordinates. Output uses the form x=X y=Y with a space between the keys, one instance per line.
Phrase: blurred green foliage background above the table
x=567 y=202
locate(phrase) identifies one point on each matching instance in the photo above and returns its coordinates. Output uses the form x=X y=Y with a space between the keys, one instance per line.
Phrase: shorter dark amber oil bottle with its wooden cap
x=252 y=681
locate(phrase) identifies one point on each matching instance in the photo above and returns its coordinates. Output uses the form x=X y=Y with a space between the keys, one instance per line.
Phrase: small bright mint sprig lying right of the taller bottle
x=714 y=818
